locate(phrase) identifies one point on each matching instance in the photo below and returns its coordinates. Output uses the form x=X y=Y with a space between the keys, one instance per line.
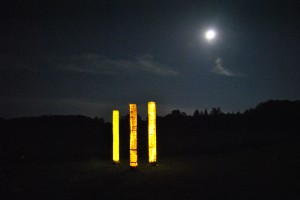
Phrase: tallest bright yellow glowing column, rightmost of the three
x=152 y=132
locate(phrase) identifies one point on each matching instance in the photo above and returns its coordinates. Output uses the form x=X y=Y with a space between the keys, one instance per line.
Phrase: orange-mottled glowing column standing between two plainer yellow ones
x=133 y=136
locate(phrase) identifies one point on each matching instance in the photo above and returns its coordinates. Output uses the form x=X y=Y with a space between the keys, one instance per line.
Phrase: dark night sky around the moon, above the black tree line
x=89 y=57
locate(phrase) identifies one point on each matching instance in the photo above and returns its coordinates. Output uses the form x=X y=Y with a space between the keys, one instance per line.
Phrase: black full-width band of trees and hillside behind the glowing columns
x=79 y=137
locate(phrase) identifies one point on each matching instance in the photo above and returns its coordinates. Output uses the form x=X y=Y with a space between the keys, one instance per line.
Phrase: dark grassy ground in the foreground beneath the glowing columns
x=270 y=172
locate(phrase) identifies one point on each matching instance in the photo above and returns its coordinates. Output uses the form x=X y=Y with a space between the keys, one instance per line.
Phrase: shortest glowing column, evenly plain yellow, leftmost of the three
x=116 y=141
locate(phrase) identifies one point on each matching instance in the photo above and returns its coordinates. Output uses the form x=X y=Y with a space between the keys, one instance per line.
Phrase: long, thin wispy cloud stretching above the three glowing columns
x=98 y=64
